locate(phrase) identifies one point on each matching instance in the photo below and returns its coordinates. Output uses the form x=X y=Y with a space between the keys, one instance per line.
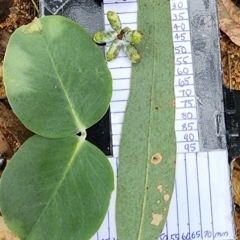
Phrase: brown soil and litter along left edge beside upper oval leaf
x=13 y=14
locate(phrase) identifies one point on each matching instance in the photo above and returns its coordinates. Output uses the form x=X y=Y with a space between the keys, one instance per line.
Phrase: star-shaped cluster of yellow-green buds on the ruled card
x=121 y=38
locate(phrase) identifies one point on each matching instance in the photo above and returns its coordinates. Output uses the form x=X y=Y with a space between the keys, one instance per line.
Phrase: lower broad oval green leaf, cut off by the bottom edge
x=56 y=189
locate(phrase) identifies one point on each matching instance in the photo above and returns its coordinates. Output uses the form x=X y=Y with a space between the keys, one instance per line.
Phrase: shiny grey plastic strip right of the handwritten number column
x=206 y=57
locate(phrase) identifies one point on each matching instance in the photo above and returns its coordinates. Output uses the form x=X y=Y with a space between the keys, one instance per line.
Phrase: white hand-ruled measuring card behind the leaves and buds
x=201 y=206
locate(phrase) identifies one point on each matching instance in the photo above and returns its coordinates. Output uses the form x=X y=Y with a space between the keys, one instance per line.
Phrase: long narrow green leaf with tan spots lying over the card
x=148 y=146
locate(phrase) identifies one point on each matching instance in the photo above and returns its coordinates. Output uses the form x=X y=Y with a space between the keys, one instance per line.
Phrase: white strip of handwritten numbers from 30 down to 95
x=186 y=116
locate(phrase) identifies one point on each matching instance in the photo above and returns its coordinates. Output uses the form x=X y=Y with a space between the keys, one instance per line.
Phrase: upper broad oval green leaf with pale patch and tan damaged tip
x=56 y=78
